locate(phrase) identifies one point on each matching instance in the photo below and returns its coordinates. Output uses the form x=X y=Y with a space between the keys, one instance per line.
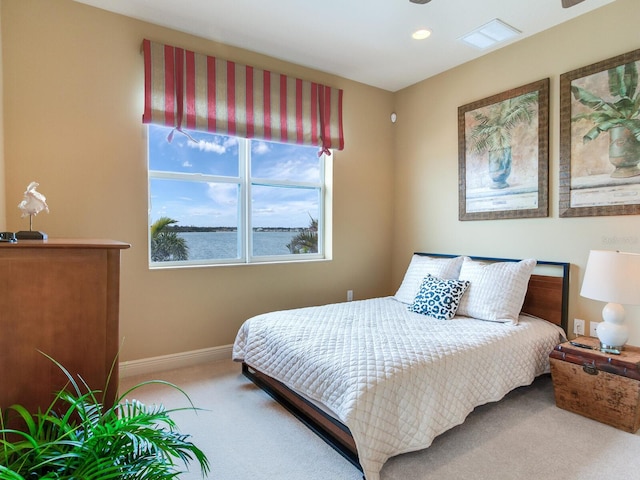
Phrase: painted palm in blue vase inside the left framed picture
x=494 y=131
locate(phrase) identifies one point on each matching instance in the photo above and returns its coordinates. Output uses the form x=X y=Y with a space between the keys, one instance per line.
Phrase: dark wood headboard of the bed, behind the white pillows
x=547 y=296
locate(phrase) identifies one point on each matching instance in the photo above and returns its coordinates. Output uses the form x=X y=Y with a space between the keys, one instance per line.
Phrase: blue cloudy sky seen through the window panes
x=214 y=201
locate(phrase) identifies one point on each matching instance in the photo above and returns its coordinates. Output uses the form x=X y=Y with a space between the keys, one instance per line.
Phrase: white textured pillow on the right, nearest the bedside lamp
x=496 y=291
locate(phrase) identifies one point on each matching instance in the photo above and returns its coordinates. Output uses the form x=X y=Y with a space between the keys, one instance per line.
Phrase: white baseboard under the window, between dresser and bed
x=176 y=360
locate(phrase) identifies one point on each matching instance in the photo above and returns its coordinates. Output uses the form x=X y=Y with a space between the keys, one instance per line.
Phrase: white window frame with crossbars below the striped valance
x=245 y=229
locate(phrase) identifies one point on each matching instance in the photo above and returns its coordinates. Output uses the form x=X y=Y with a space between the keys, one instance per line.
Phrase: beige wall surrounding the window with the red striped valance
x=73 y=85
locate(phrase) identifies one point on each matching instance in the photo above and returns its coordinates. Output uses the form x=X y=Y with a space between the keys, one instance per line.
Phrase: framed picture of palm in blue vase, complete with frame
x=503 y=155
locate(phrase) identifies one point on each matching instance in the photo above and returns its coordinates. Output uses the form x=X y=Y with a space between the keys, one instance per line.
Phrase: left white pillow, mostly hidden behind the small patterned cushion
x=421 y=266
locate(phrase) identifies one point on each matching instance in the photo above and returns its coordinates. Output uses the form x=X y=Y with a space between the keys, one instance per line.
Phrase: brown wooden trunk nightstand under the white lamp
x=600 y=386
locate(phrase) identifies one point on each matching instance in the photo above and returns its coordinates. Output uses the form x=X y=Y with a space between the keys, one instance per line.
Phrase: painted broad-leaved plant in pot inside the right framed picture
x=620 y=117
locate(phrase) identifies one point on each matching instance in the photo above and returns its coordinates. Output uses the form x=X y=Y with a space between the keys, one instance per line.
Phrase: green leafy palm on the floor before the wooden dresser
x=76 y=437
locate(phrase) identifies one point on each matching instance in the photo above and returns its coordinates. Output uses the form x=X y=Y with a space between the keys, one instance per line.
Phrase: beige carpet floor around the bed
x=247 y=436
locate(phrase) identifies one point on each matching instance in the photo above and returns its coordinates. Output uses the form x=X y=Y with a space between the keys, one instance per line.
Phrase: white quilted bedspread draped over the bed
x=397 y=379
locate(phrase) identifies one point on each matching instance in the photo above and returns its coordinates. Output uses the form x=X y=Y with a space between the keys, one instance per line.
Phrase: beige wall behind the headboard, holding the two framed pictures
x=426 y=175
